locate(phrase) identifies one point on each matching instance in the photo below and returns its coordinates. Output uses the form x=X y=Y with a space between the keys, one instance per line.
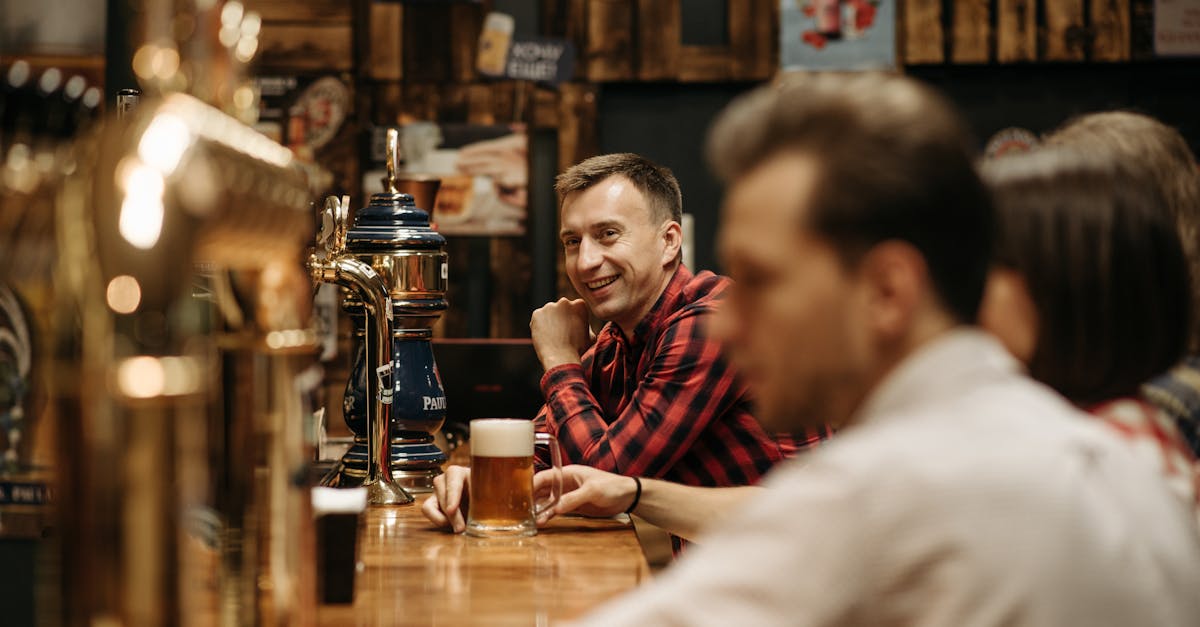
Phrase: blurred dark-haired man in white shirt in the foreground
x=958 y=493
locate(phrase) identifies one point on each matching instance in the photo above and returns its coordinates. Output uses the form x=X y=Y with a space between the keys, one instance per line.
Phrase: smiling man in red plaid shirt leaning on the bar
x=651 y=396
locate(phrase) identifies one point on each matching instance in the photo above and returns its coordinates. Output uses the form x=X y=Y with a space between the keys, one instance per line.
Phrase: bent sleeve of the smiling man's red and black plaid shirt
x=685 y=390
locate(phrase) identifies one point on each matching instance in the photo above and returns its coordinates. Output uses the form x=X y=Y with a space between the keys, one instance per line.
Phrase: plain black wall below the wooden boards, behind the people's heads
x=668 y=122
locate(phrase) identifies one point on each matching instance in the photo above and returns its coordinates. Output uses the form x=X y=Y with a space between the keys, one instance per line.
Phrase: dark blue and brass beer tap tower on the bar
x=394 y=238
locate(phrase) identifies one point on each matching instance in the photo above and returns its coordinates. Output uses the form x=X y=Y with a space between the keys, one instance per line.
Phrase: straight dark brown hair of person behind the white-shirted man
x=1100 y=253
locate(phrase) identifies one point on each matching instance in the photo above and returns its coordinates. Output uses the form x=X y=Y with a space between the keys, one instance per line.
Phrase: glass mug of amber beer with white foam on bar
x=502 y=500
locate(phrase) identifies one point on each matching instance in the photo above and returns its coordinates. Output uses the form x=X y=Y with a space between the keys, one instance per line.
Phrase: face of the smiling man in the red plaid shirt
x=617 y=258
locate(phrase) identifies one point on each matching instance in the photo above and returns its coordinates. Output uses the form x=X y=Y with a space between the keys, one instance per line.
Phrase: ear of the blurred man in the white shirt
x=897 y=279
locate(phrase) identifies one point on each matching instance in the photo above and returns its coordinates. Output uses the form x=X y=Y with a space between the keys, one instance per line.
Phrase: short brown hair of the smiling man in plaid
x=656 y=182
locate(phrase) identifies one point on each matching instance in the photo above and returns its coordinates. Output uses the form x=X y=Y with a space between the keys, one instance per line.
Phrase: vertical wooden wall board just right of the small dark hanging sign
x=609 y=53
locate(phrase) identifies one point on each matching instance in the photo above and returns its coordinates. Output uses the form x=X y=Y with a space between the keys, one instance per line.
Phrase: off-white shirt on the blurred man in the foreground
x=965 y=495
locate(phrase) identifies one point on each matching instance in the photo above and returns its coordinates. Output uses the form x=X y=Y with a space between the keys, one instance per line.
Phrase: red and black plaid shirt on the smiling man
x=664 y=404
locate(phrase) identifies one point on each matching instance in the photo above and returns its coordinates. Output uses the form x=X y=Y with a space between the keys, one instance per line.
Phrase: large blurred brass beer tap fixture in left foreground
x=184 y=339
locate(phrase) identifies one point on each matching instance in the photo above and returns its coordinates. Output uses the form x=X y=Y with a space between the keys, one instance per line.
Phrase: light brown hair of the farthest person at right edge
x=1156 y=152
